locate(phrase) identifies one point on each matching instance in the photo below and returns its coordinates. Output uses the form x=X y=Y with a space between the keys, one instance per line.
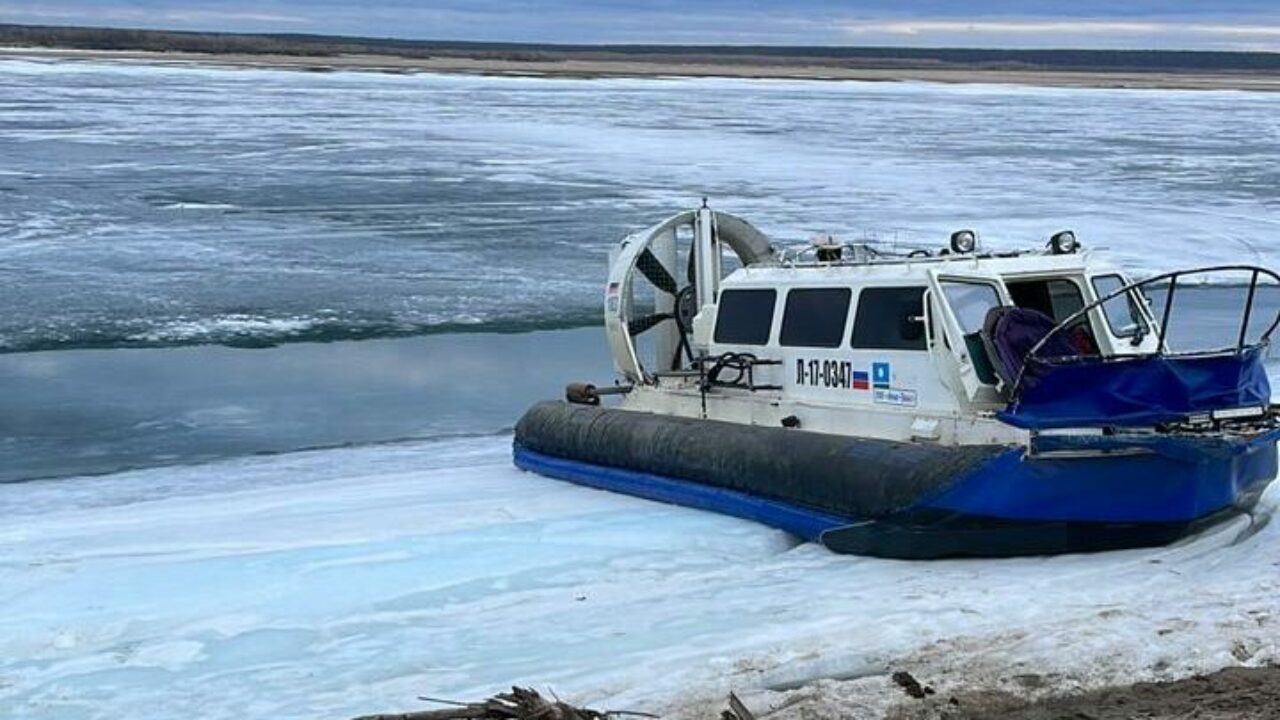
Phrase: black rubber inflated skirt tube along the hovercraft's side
x=847 y=479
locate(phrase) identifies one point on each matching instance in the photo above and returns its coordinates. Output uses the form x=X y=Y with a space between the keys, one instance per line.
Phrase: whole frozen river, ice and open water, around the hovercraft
x=327 y=530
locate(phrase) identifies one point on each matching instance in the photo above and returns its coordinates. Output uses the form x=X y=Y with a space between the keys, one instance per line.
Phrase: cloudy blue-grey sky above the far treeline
x=1226 y=25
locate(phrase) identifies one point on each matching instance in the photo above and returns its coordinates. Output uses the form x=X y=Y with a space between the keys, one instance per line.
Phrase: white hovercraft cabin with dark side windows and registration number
x=908 y=335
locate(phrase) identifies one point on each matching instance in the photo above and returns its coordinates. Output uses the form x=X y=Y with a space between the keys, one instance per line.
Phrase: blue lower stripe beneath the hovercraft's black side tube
x=797 y=521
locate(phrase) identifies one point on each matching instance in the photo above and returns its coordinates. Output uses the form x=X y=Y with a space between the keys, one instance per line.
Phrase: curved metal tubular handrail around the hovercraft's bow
x=1162 y=349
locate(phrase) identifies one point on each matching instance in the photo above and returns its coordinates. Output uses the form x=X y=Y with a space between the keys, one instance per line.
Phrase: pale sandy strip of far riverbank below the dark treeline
x=641 y=67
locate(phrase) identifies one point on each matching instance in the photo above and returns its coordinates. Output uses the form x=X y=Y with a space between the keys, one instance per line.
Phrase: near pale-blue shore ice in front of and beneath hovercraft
x=332 y=584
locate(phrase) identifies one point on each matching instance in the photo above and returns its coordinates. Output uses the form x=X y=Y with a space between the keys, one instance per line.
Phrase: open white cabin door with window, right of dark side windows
x=962 y=302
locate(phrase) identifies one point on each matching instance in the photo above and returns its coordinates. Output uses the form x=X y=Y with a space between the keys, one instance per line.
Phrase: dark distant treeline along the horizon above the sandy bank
x=941 y=58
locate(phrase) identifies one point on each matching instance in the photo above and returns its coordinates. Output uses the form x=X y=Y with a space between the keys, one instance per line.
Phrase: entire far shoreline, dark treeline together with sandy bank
x=1172 y=70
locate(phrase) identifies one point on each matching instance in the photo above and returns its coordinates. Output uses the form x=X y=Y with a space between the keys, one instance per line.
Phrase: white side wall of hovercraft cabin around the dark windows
x=941 y=404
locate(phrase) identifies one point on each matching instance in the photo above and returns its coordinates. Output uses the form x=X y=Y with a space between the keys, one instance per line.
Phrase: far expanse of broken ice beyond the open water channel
x=147 y=206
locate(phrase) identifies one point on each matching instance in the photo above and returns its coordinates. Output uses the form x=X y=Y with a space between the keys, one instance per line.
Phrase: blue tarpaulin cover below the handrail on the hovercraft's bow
x=1139 y=393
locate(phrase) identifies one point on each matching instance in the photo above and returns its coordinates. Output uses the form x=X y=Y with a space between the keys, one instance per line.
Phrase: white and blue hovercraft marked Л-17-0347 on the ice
x=916 y=404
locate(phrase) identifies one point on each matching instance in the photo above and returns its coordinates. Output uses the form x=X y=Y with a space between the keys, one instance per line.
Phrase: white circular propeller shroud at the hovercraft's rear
x=651 y=258
